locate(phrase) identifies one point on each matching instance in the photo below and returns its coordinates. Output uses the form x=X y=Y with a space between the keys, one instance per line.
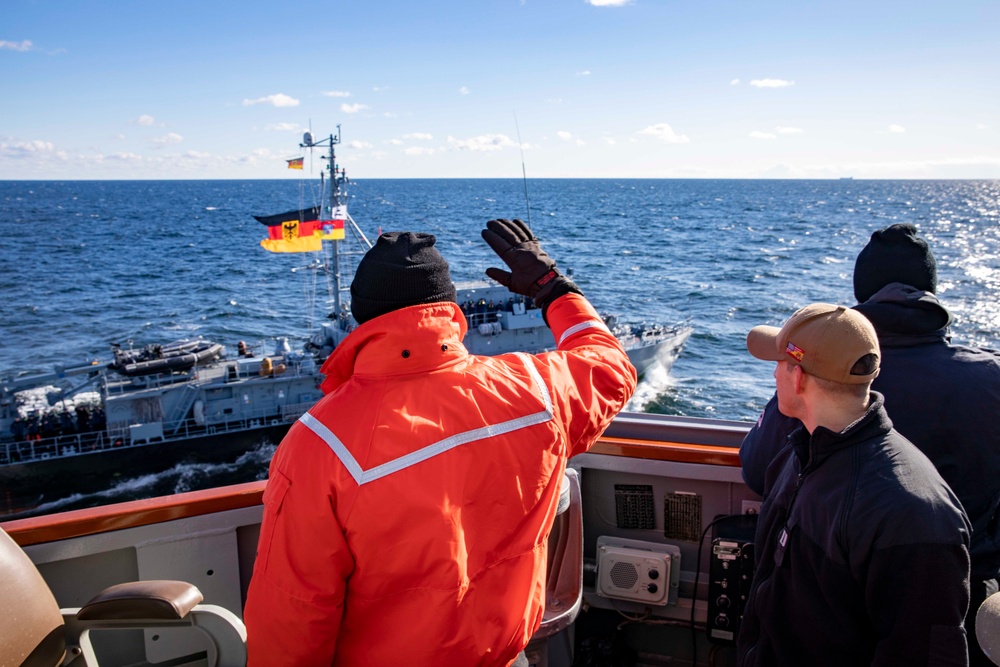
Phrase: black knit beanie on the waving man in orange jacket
x=402 y=269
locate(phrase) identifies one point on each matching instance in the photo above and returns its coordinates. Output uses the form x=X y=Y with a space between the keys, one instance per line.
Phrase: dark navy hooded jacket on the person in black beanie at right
x=944 y=398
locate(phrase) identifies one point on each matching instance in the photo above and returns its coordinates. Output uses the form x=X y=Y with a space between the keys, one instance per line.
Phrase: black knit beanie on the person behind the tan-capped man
x=894 y=255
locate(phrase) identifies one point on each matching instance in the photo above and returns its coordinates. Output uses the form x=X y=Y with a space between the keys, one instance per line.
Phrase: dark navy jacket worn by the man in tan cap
x=862 y=555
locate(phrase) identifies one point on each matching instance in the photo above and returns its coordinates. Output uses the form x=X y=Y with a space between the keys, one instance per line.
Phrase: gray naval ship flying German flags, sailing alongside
x=143 y=411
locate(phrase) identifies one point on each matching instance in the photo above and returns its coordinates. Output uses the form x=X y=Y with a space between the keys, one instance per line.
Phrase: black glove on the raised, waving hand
x=532 y=272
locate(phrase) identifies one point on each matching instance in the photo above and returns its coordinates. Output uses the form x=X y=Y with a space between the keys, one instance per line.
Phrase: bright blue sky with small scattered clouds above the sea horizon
x=599 y=88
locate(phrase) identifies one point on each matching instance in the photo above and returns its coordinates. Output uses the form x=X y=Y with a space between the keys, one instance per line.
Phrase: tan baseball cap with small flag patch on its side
x=824 y=339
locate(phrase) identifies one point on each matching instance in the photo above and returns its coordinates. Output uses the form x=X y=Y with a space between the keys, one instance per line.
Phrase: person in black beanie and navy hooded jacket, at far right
x=944 y=398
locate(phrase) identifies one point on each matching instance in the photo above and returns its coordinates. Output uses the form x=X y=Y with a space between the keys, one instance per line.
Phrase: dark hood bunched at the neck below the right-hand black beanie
x=899 y=312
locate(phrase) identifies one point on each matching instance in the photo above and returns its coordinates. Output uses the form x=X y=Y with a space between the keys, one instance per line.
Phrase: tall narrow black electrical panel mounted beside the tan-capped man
x=730 y=571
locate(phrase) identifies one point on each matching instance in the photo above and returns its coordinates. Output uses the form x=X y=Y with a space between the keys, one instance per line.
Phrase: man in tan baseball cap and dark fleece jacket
x=862 y=548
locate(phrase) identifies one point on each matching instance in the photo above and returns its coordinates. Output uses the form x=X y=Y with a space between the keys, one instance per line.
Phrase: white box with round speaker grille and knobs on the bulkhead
x=638 y=571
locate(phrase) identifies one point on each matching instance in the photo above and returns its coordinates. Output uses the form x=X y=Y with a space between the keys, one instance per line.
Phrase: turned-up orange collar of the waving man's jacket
x=416 y=339
